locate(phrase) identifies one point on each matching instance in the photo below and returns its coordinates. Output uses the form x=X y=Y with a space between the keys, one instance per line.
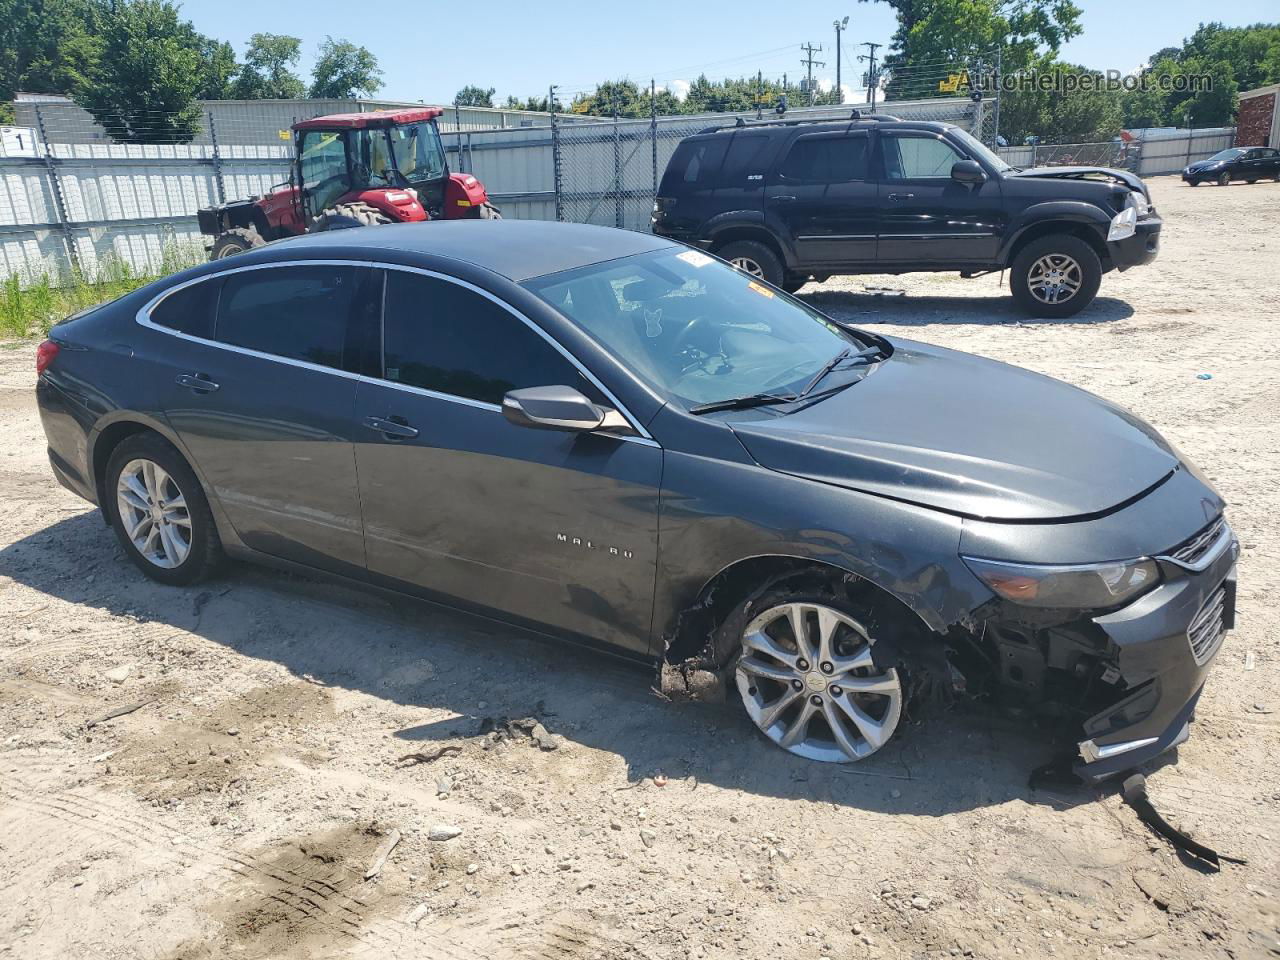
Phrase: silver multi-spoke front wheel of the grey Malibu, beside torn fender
x=810 y=683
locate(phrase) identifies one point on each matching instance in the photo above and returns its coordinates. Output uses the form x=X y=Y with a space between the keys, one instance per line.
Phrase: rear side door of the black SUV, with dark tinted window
x=825 y=200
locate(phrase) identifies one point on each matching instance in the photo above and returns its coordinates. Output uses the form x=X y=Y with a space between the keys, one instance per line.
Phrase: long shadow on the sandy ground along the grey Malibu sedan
x=447 y=665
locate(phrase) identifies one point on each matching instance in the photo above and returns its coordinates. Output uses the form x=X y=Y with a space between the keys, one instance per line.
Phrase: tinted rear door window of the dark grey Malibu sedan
x=300 y=313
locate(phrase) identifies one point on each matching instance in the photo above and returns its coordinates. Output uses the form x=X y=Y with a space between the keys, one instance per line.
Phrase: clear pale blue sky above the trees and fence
x=428 y=52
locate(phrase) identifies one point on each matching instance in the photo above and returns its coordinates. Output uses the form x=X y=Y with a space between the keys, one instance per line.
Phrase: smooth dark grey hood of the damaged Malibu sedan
x=967 y=436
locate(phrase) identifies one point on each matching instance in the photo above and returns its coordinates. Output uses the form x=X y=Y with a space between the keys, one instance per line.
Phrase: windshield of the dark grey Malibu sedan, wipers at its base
x=696 y=328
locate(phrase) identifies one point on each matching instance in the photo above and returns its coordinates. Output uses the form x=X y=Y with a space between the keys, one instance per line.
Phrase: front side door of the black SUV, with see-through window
x=926 y=217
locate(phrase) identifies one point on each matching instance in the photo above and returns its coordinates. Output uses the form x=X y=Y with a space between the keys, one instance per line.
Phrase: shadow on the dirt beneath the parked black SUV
x=907 y=310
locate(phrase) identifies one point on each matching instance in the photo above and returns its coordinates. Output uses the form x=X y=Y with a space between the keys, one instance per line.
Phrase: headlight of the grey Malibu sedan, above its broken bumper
x=1080 y=587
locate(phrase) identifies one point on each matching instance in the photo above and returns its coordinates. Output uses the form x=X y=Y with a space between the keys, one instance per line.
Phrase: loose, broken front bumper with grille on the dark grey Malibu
x=1167 y=643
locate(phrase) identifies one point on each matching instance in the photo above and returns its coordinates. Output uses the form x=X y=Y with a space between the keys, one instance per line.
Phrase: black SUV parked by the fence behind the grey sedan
x=798 y=200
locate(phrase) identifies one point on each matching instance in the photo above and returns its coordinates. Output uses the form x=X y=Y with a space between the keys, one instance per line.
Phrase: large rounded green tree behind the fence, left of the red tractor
x=144 y=85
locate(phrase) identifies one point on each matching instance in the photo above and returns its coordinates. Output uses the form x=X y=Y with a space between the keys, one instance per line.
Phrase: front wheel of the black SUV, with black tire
x=1055 y=276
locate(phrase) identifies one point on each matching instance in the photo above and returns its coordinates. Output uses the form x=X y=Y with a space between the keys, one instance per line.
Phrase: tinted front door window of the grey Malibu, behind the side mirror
x=444 y=337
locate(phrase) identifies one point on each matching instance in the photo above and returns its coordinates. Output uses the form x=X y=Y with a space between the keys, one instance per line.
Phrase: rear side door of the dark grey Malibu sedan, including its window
x=258 y=380
